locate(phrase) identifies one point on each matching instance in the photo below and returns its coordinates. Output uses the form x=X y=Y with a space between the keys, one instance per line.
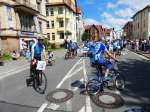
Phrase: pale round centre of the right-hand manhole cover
x=107 y=99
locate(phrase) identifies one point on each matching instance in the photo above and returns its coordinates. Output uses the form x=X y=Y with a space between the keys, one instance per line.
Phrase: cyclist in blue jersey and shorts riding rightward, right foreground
x=100 y=49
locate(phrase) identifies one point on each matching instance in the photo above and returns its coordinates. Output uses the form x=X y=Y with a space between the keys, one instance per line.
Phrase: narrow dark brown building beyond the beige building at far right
x=128 y=30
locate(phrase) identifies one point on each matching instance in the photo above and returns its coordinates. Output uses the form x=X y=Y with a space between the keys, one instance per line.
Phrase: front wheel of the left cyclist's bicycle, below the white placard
x=40 y=82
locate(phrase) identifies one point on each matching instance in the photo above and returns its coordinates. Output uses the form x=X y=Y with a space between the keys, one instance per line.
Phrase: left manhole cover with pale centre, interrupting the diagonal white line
x=59 y=96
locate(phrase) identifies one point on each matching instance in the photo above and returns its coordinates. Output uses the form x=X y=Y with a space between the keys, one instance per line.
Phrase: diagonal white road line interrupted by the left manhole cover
x=44 y=105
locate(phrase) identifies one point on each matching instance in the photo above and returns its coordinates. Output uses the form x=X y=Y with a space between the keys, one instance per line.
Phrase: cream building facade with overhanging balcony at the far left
x=21 y=19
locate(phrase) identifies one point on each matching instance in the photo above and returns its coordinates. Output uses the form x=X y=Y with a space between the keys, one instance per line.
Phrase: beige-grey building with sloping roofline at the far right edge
x=141 y=24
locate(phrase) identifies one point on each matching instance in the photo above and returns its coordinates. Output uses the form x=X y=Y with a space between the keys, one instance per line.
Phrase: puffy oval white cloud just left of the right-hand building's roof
x=127 y=12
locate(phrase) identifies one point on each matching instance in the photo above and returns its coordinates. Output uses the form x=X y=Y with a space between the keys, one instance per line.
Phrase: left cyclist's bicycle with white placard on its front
x=37 y=78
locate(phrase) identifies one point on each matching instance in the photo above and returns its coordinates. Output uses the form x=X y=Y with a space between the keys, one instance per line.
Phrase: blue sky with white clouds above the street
x=110 y=13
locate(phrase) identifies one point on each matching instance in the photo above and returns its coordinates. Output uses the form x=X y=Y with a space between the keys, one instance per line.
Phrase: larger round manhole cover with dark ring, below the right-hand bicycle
x=107 y=100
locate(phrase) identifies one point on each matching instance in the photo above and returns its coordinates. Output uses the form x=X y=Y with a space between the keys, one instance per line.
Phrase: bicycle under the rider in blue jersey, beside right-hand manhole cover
x=97 y=84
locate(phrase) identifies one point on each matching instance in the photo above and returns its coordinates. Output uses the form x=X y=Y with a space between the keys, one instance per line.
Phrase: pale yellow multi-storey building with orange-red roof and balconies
x=61 y=18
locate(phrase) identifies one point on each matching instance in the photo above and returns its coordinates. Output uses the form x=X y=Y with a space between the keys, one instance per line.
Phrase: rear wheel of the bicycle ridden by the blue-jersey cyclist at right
x=93 y=87
